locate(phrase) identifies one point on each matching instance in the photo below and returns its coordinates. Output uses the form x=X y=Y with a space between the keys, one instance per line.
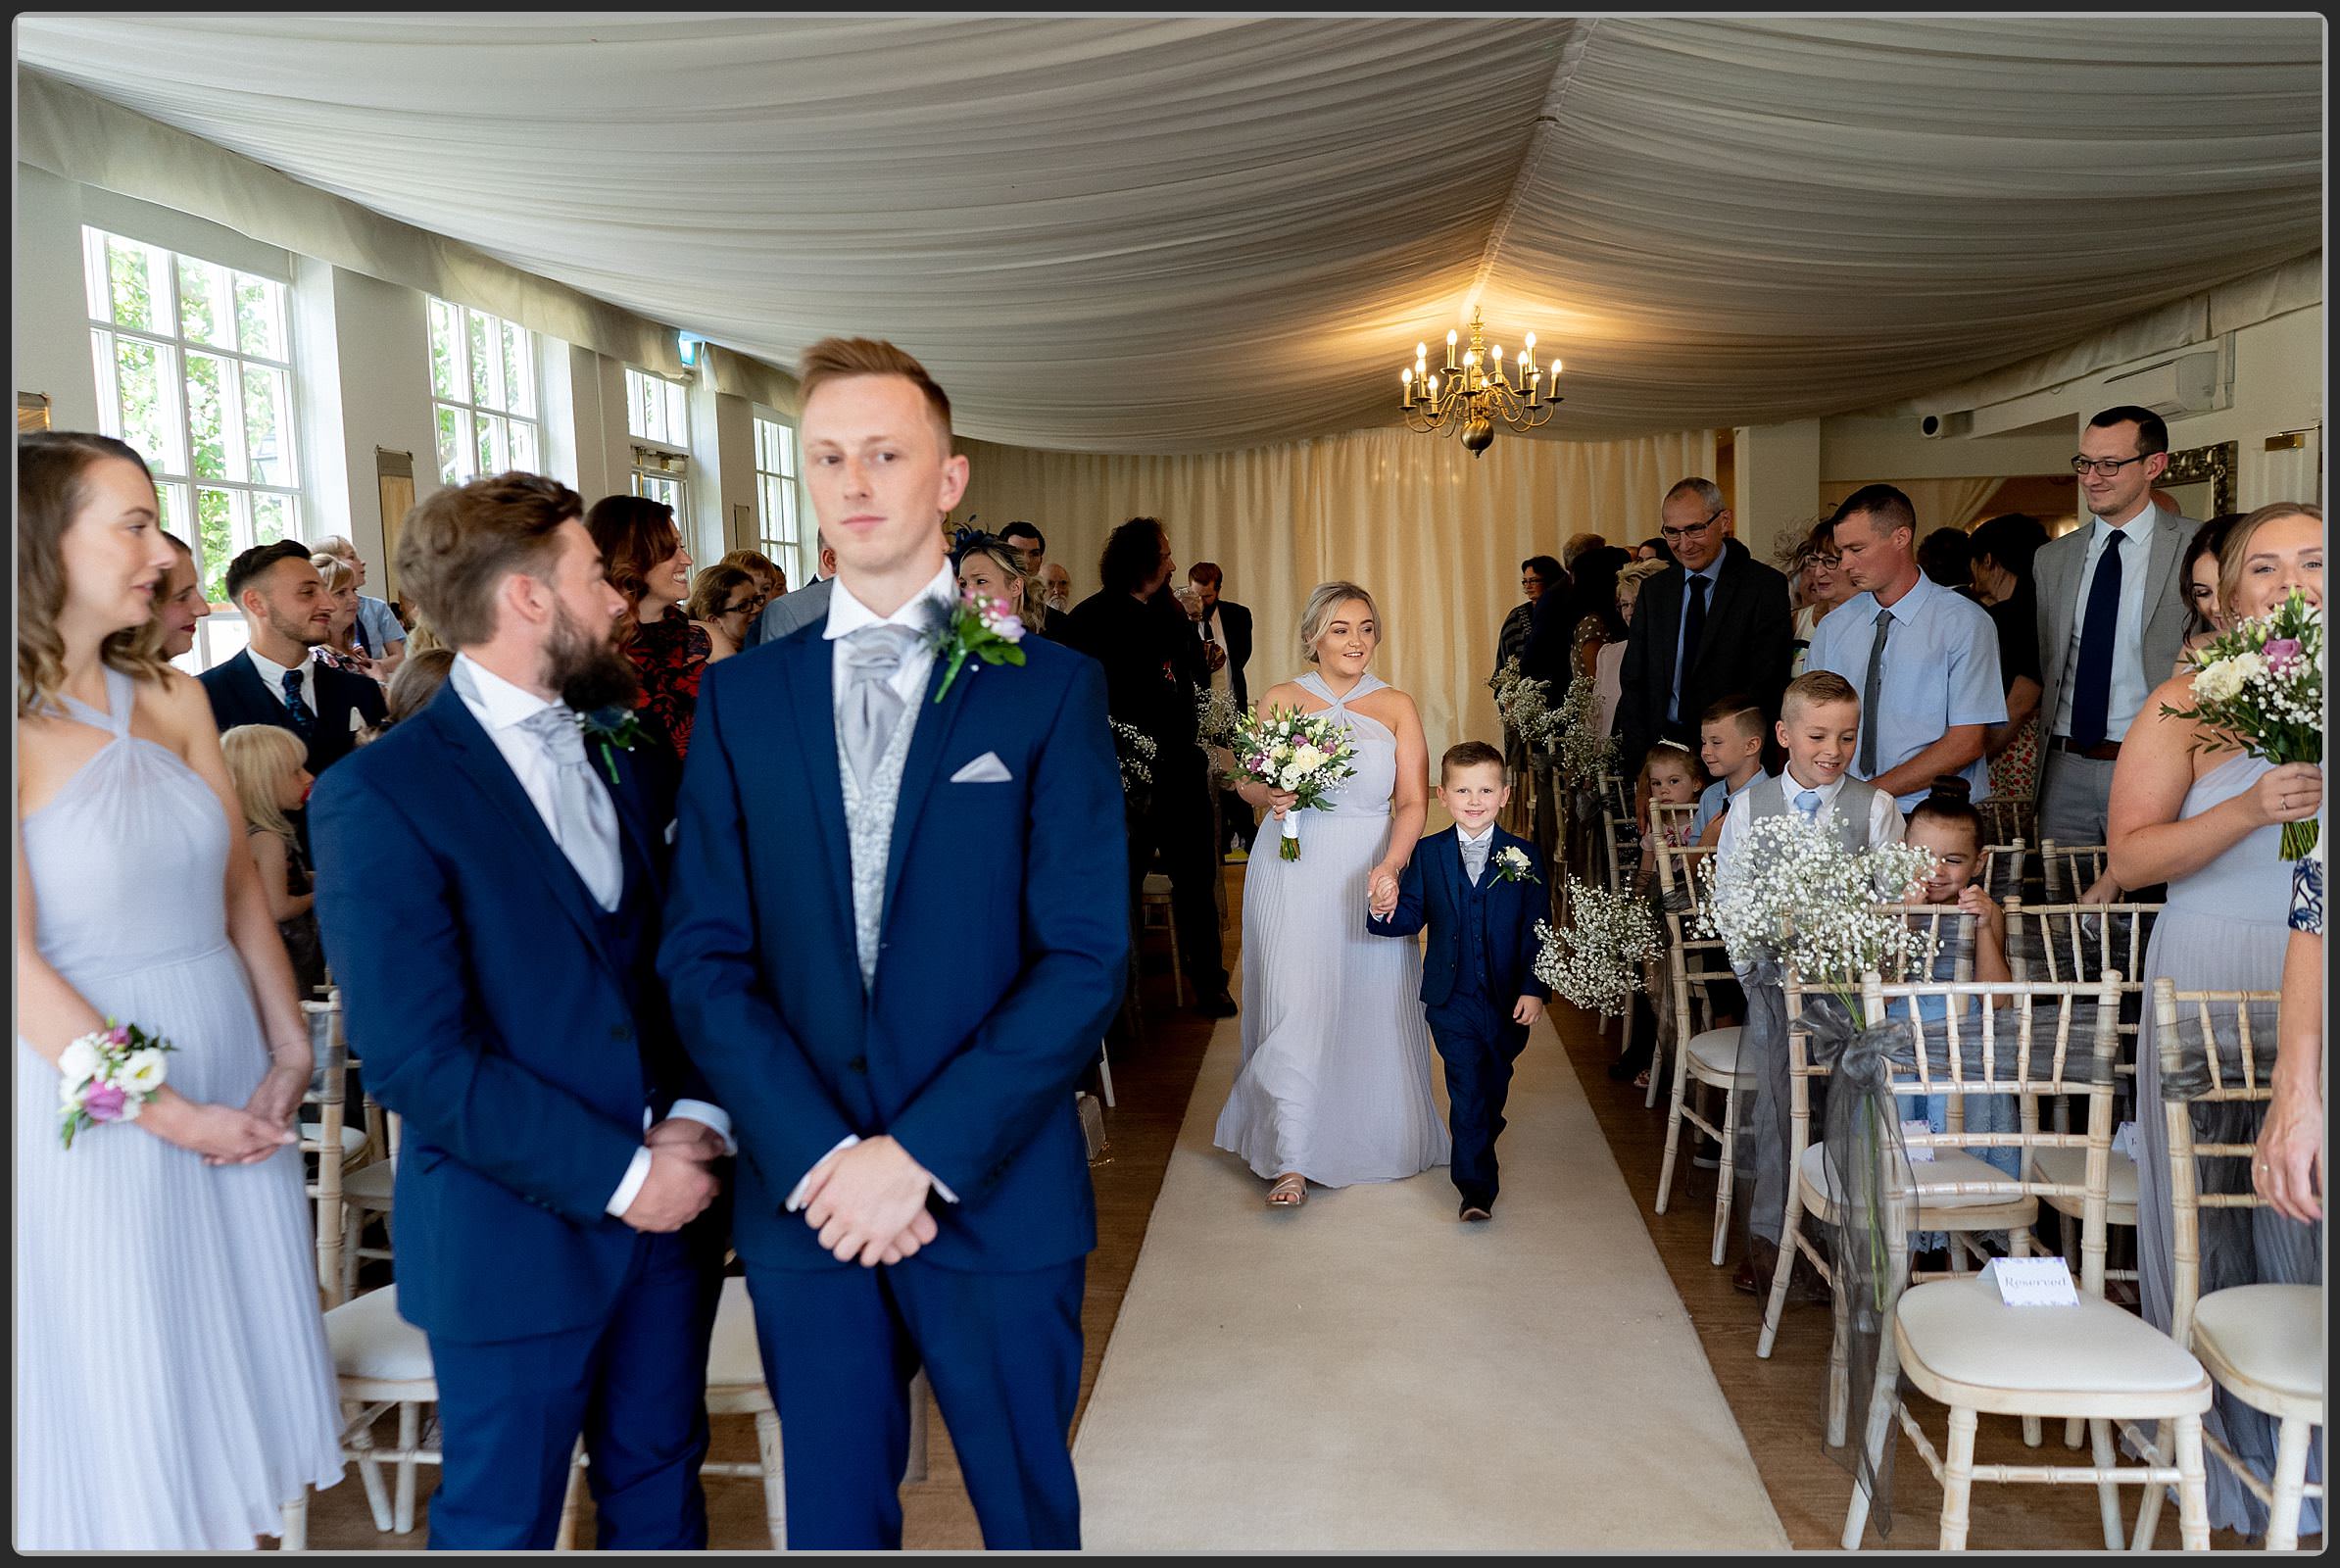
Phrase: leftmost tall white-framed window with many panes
x=195 y=371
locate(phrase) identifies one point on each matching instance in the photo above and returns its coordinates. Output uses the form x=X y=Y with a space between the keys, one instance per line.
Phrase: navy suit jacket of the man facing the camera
x=1003 y=954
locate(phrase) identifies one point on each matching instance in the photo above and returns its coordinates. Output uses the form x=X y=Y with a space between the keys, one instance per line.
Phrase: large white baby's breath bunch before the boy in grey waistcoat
x=1796 y=895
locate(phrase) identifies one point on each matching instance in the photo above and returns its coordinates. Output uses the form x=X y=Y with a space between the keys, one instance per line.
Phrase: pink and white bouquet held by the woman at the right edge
x=2264 y=685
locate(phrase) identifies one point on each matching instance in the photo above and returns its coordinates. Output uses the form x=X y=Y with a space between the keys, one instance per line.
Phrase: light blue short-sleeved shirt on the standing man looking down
x=1941 y=670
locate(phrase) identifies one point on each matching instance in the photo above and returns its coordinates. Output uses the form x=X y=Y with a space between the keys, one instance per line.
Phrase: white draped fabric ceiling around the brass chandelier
x=1209 y=233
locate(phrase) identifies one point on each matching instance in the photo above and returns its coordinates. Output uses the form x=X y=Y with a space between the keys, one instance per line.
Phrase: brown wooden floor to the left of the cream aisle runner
x=1152 y=1082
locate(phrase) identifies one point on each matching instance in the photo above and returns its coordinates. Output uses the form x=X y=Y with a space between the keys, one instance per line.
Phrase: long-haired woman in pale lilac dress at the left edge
x=172 y=1373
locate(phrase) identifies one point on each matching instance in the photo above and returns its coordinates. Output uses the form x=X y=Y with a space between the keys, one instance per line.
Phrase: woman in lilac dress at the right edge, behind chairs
x=2210 y=827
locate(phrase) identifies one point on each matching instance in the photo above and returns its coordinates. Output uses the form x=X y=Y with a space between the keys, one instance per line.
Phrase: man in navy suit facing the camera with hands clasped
x=897 y=935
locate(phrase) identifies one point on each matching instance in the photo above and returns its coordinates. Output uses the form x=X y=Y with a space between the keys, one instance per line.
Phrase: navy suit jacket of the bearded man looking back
x=490 y=1015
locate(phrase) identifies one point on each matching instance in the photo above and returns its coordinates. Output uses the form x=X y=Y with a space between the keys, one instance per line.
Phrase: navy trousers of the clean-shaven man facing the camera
x=1003 y=1354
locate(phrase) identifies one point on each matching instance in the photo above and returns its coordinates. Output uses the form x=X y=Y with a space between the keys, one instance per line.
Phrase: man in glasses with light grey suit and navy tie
x=2110 y=617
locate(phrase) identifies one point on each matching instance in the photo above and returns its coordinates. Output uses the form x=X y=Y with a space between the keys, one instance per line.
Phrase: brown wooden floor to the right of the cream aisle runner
x=1780 y=1401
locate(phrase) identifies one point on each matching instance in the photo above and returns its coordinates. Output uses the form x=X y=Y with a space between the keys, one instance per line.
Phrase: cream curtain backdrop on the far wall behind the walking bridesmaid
x=1433 y=532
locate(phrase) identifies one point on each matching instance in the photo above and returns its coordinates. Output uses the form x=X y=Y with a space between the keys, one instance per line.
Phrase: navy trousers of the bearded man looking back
x=635 y=1387
